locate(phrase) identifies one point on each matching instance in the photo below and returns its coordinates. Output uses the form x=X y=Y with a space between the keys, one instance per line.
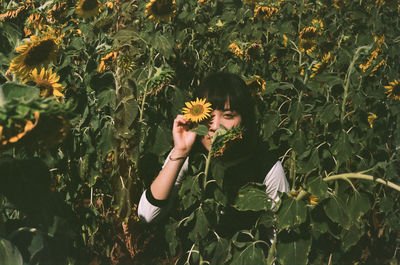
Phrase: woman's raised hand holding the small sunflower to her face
x=183 y=137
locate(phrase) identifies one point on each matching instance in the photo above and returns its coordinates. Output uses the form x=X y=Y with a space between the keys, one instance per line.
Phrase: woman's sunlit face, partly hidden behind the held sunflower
x=226 y=117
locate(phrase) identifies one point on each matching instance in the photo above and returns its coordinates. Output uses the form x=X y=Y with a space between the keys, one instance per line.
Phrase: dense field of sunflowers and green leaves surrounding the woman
x=88 y=93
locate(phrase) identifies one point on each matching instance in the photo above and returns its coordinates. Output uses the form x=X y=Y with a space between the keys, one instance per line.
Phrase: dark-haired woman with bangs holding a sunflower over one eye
x=232 y=106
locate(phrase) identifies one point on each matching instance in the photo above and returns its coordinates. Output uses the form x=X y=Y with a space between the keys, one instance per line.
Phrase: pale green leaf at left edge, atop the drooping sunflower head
x=22 y=93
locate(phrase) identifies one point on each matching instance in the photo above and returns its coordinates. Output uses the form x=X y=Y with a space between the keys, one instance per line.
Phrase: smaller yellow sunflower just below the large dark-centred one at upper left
x=47 y=81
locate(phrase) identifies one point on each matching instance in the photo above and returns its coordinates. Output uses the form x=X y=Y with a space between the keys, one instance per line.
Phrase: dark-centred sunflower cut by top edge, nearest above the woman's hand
x=161 y=10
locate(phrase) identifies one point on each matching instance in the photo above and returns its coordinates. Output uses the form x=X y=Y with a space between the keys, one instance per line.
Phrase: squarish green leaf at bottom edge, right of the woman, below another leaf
x=293 y=248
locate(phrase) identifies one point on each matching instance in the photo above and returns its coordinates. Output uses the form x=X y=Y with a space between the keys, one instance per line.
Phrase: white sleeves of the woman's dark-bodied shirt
x=275 y=181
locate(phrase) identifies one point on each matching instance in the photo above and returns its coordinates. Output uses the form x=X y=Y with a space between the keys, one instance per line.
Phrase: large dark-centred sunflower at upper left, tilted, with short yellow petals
x=34 y=53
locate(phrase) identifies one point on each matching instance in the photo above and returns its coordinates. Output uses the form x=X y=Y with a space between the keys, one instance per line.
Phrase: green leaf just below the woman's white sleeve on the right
x=291 y=213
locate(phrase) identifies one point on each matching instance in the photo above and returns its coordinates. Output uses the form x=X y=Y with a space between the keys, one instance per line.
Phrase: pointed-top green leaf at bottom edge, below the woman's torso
x=250 y=255
